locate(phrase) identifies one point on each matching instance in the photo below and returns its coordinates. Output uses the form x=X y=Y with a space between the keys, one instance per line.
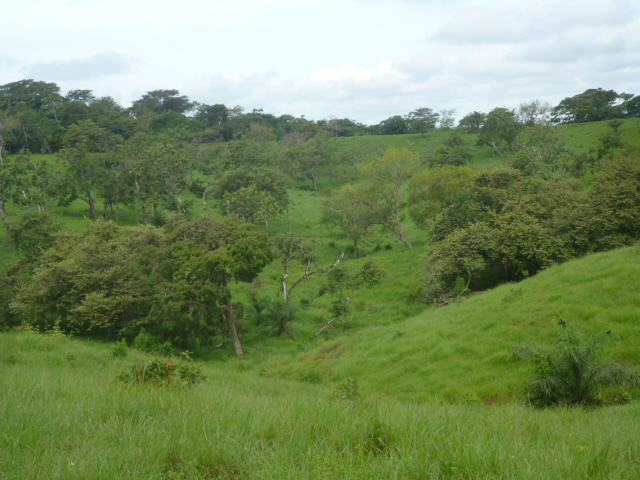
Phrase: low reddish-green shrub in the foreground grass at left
x=162 y=372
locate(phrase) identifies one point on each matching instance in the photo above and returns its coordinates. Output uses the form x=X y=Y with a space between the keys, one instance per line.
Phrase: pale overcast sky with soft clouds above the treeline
x=366 y=60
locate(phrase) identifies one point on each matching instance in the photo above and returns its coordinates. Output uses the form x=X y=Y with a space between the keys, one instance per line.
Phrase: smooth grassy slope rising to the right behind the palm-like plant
x=461 y=352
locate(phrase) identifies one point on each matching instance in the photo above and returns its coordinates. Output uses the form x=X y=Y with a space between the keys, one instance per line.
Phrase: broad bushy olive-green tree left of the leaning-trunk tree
x=97 y=282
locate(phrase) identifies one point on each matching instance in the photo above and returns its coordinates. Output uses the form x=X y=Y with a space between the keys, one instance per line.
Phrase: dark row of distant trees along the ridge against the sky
x=36 y=116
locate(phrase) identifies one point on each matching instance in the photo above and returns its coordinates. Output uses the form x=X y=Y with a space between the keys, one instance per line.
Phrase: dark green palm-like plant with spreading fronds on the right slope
x=572 y=371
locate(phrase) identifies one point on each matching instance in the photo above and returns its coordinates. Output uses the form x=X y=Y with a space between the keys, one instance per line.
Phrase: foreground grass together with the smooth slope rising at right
x=64 y=414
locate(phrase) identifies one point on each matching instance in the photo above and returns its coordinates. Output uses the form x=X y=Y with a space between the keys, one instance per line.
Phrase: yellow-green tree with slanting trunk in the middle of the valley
x=383 y=180
